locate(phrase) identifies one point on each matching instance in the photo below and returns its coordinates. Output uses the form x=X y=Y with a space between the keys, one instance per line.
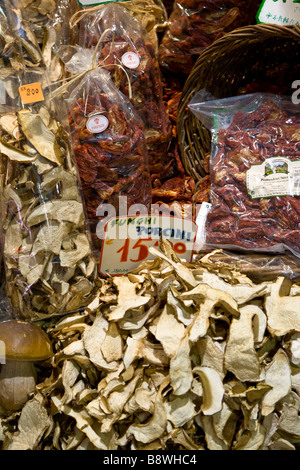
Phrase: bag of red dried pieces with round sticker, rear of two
x=127 y=51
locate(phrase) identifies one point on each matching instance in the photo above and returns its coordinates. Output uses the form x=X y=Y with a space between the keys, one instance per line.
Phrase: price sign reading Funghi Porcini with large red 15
x=127 y=241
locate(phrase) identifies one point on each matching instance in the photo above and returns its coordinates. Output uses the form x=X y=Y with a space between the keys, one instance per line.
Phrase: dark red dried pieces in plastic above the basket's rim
x=195 y=24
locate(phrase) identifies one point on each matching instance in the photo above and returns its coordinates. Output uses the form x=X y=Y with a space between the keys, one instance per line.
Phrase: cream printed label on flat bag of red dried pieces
x=276 y=176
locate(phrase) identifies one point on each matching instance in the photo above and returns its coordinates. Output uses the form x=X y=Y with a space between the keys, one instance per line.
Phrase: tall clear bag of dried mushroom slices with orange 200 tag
x=48 y=258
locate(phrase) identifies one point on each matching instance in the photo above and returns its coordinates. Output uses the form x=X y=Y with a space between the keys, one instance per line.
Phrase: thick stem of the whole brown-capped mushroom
x=17 y=381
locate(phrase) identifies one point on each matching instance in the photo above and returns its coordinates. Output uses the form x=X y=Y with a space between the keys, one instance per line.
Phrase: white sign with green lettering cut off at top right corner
x=280 y=12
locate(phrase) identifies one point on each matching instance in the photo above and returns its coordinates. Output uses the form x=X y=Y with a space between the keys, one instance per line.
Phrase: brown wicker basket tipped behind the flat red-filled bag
x=231 y=62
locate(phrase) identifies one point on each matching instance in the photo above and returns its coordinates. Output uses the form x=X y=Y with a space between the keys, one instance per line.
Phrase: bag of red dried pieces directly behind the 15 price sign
x=110 y=149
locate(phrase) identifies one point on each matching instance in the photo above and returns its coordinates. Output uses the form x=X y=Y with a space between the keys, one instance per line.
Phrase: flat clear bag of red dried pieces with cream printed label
x=255 y=172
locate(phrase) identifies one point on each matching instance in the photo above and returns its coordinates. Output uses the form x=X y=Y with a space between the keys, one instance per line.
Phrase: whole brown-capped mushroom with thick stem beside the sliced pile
x=25 y=344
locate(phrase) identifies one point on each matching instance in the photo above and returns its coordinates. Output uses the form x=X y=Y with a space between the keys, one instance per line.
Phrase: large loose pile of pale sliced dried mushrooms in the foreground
x=171 y=356
